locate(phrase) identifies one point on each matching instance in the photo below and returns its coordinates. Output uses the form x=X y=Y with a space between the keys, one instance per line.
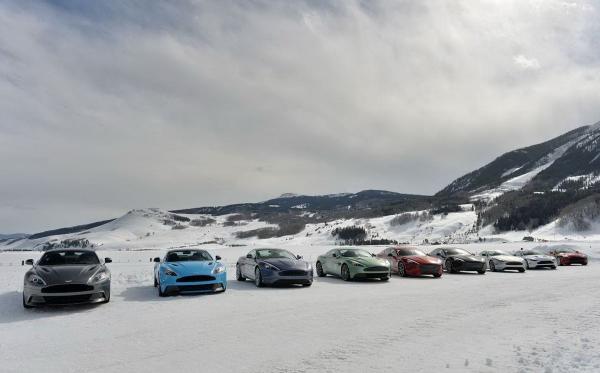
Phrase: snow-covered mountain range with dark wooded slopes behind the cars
x=546 y=191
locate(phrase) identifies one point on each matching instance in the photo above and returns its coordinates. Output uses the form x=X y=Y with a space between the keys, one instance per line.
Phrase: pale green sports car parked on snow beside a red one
x=352 y=264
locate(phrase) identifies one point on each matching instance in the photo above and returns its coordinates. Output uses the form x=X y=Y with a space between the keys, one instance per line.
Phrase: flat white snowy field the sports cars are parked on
x=539 y=321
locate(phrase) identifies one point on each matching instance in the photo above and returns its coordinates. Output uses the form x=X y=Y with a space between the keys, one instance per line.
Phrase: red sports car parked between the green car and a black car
x=408 y=261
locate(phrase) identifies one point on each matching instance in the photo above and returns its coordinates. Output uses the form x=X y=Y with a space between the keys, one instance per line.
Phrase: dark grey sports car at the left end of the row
x=66 y=276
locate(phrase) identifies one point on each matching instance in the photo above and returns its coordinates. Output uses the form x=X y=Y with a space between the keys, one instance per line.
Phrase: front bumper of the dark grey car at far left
x=40 y=296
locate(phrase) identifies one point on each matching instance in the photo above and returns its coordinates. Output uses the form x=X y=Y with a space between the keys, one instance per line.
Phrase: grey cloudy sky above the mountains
x=111 y=105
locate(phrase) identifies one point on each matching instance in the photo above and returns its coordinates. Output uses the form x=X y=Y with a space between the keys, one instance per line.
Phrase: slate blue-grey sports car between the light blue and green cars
x=274 y=266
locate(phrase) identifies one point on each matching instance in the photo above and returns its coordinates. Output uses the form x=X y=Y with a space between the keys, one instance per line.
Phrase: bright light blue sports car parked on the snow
x=189 y=271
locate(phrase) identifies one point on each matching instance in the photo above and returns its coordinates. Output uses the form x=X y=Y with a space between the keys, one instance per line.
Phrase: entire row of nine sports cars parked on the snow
x=73 y=276
